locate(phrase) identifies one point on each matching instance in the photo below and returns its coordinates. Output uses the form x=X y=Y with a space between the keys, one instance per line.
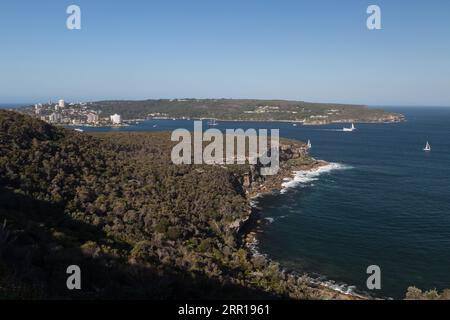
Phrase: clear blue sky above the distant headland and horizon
x=315 y=50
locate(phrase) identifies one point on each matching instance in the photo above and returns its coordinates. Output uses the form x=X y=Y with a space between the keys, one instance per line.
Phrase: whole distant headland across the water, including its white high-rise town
x=307 y=113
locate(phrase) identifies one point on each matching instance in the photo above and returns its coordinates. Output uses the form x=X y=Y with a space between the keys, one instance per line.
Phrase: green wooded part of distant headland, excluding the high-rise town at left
x=245 y=109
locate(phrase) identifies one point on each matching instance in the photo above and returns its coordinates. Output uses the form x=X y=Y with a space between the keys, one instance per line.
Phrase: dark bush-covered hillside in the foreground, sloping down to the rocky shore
x=138 y=226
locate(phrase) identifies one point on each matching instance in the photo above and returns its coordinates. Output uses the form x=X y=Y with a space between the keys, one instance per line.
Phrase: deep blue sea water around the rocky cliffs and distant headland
x=389 y=207
